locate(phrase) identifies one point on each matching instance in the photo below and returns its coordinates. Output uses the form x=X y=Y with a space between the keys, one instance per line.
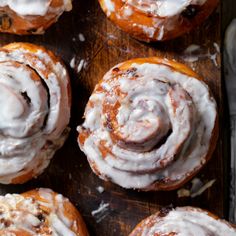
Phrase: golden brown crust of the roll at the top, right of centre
x=148 y=27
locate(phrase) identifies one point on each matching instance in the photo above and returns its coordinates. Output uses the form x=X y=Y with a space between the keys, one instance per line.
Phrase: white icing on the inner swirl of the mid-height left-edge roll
x=17 y=119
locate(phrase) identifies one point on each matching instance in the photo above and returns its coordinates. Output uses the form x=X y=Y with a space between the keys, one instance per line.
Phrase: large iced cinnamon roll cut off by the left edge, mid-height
x=35 y=101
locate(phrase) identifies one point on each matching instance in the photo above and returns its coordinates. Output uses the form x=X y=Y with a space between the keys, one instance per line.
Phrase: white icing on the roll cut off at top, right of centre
x=163 y=8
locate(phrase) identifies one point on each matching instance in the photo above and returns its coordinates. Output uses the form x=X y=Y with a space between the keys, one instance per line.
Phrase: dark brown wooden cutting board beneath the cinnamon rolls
x=105 y=46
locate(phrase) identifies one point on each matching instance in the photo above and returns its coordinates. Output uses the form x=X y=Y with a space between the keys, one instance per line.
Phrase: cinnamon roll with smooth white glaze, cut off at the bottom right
x=183 y=221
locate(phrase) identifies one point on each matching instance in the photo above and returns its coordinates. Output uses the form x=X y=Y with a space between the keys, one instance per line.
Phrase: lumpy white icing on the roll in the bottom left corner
x=22 y=213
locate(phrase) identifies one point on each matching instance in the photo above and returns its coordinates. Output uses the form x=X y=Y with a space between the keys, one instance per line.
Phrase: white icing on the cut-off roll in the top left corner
x=35 y=7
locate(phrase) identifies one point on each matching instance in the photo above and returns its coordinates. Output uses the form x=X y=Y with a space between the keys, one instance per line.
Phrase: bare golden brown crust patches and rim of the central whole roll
x=110 y=111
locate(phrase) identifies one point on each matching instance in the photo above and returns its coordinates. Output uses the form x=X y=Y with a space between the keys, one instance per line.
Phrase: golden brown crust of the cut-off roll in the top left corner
x=13 y=22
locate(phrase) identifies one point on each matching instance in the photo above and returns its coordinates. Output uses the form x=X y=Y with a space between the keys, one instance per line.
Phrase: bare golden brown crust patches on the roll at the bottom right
x=160 y=216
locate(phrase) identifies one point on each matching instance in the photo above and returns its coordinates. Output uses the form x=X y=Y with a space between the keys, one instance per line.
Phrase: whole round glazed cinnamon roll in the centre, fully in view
x=150 y=124
